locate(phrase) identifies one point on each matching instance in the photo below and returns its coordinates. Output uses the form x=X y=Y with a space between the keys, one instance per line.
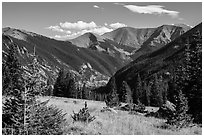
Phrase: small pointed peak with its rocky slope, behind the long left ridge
x=99 y=43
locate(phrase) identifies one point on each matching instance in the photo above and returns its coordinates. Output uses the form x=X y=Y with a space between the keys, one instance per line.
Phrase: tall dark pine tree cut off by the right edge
x=194 y=87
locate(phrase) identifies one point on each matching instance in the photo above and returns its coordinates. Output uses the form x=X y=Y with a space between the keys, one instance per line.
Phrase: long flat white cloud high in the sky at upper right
x=152 y=9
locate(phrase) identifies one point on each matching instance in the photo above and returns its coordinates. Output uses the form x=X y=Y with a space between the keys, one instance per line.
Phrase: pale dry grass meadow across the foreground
x=108 y=123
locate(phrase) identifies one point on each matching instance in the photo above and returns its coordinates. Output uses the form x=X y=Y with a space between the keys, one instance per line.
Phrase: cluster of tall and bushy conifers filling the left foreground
x=22 y=113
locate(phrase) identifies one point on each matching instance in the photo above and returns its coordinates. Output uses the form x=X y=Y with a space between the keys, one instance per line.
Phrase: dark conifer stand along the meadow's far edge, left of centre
x=67 y=85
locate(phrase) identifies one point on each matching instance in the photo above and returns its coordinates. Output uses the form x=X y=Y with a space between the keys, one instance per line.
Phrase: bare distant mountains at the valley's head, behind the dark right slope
x=146 y=40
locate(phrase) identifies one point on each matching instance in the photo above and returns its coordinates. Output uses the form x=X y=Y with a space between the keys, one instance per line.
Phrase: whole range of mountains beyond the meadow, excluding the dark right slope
x=103 y=54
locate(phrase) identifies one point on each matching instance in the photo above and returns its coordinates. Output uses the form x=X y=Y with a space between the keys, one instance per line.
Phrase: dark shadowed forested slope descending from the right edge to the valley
x=161 y=61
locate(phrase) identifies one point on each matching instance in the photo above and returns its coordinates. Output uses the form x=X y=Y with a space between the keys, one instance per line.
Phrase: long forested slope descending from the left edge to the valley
x=53 y=54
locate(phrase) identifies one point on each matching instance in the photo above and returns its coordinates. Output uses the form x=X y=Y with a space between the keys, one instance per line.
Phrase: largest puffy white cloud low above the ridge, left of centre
x=78 y=25
